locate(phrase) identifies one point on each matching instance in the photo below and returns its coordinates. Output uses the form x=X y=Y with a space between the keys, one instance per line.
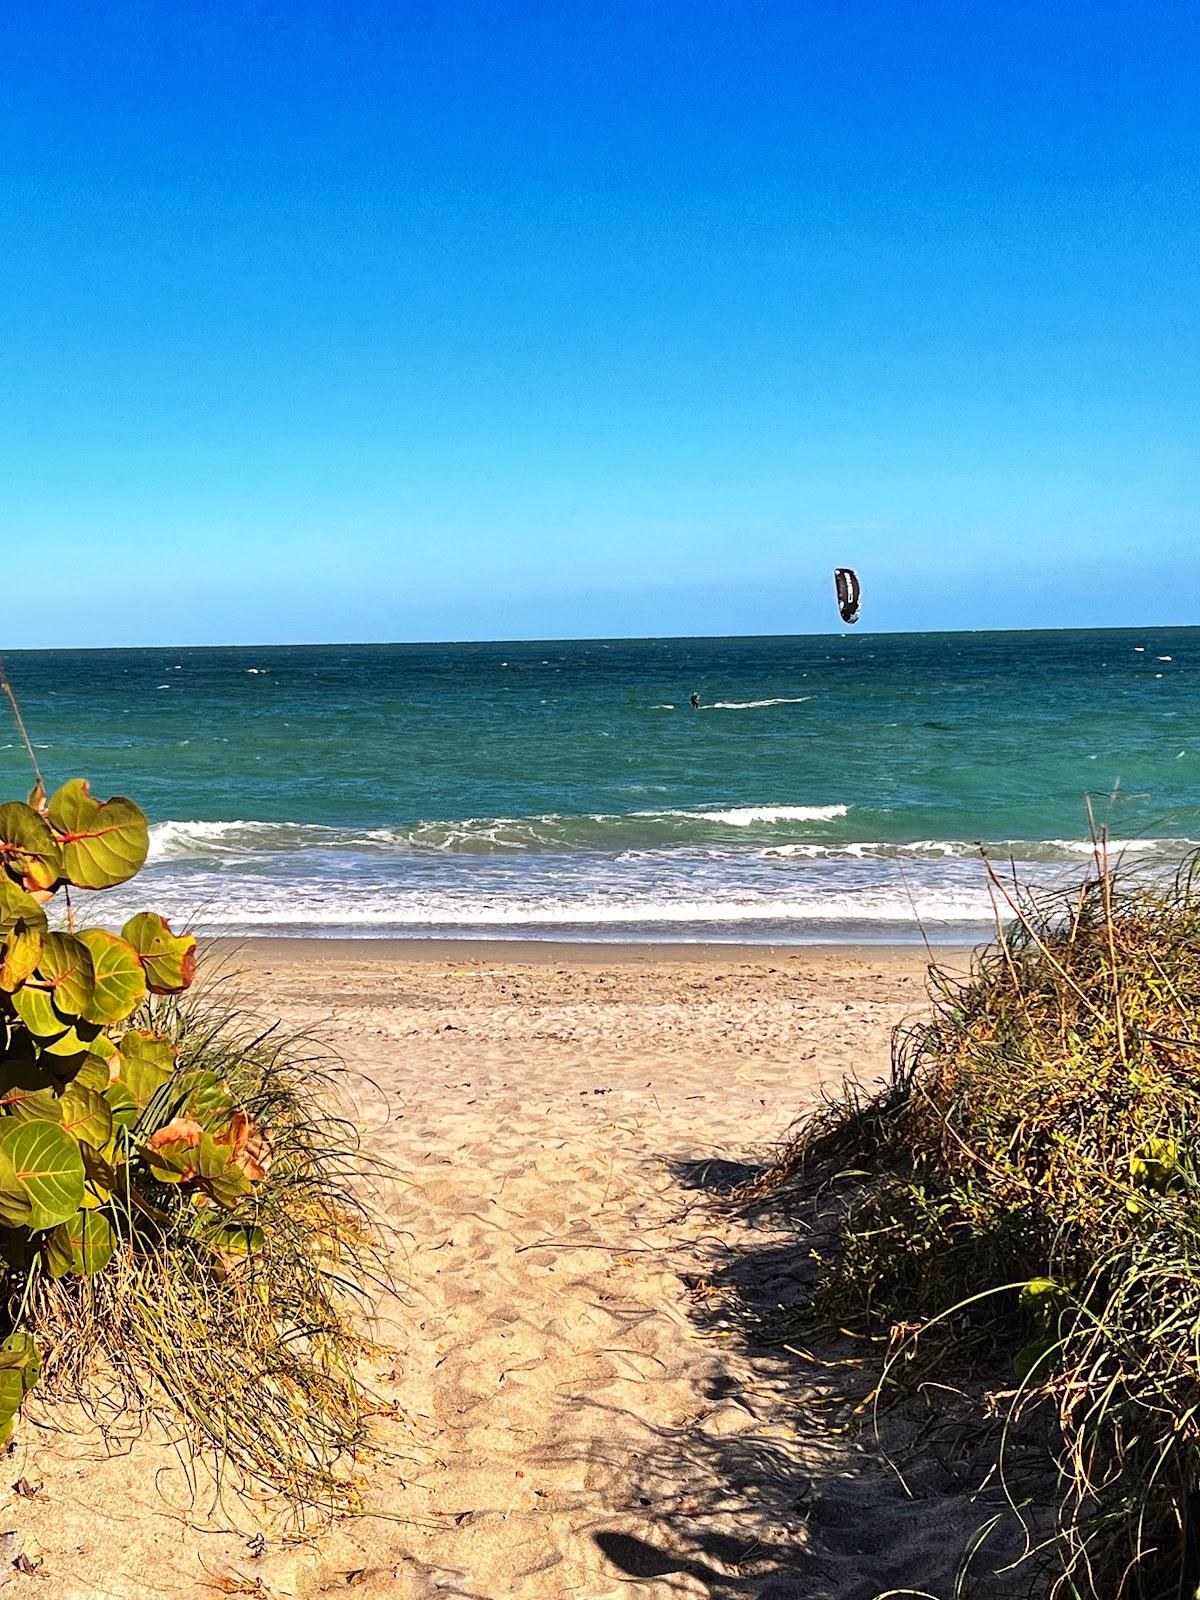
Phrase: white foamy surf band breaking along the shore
x=748 y=873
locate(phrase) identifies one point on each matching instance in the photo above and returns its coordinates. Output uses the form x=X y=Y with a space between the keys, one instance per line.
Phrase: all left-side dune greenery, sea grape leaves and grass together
x=182 y=1215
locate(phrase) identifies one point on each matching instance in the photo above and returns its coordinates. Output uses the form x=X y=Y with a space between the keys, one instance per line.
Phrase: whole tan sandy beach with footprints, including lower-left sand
x=572 y=1412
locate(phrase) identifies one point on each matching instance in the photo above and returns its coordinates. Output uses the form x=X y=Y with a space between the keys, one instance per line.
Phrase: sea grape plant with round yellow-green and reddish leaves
x=103 y=1134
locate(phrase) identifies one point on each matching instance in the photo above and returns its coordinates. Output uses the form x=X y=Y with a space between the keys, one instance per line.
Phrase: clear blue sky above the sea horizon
x=447 y=321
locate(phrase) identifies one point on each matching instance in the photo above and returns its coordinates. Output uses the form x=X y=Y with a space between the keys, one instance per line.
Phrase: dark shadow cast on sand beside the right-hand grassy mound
x=782 y=1487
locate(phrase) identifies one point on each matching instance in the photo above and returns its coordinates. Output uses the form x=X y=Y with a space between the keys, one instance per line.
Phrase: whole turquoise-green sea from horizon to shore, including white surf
x=831 y=786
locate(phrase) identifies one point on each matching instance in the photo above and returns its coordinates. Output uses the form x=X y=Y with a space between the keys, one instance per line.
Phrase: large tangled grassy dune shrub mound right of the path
x=1025 y=1196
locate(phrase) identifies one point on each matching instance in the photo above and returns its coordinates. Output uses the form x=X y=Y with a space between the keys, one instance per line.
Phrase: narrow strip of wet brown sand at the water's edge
x=570 y=953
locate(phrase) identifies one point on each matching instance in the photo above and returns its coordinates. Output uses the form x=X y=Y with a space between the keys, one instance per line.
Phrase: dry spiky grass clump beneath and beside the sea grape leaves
x=252 y=1354
